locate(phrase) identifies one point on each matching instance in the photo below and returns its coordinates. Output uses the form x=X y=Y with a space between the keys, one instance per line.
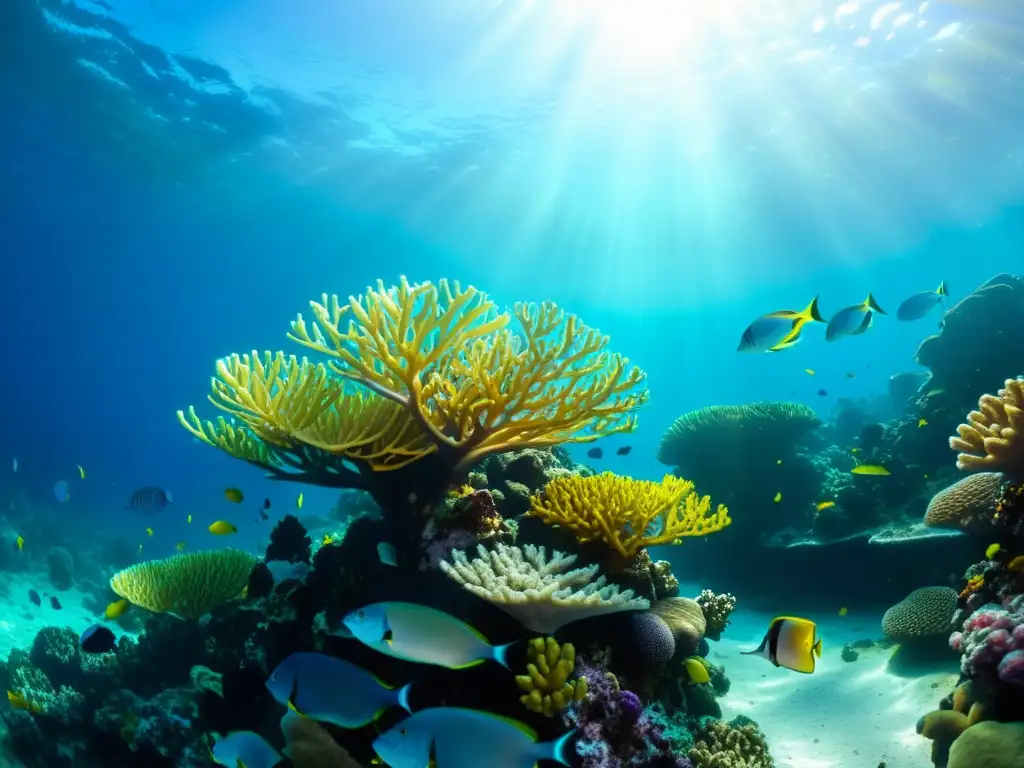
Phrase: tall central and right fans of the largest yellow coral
x=447 y=355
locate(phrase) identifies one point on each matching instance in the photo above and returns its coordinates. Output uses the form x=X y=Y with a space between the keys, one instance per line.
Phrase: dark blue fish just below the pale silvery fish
x=333 y=691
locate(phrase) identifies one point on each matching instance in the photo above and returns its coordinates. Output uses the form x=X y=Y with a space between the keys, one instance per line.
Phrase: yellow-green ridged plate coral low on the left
x=187 y=585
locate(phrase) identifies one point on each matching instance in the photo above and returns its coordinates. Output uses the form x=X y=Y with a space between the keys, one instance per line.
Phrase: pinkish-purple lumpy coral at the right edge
x=993 y=643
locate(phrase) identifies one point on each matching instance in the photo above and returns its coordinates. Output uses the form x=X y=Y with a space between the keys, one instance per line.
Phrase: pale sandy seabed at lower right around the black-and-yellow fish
x=847 y=714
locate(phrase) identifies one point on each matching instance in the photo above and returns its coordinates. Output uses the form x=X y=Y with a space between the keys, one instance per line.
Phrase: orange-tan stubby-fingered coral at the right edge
x=993 y=439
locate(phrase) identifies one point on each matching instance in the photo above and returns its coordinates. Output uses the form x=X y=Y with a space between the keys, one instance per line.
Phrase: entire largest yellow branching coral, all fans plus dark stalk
x=423 y=382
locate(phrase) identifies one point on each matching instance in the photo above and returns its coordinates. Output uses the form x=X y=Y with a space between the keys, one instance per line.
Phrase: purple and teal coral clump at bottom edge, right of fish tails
x=615 y=731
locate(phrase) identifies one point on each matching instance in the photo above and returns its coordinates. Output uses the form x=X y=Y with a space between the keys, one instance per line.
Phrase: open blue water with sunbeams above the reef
x=181 y=180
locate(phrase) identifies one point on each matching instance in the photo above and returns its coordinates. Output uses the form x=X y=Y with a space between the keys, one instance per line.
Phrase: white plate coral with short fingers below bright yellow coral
x=542 y=594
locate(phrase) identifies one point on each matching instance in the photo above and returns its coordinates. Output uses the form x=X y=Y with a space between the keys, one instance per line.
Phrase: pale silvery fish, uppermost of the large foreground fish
x=420 y=634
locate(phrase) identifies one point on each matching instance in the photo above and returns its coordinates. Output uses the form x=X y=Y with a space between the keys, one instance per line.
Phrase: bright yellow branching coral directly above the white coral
x=628 y=515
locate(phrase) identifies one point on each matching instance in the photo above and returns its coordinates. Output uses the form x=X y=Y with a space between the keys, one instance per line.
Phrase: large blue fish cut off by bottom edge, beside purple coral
x=454 y=738
